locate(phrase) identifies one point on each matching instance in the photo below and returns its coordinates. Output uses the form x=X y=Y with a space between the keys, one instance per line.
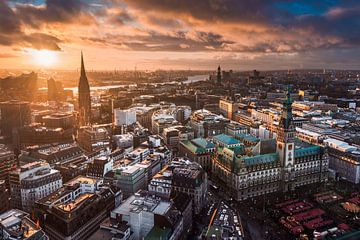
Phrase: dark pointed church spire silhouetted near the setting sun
x=84 y=97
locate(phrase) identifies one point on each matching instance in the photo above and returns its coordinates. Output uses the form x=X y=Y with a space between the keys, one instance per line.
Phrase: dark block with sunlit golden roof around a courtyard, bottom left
x=76 y=210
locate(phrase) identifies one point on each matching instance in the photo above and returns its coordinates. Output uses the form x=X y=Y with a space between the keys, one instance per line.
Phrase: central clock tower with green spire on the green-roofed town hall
x=285 y=142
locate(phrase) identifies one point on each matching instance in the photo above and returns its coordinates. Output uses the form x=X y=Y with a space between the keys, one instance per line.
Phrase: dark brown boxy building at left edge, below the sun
x=13 y=115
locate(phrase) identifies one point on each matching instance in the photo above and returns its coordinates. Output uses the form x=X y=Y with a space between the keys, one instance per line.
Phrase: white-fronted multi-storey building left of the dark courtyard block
x=31 y=182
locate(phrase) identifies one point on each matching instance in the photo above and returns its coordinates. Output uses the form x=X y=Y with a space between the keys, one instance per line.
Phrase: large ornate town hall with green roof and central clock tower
x=271 y=165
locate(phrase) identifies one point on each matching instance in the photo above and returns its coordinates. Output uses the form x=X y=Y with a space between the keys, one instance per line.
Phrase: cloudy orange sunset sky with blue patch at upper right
x=180 y=34
